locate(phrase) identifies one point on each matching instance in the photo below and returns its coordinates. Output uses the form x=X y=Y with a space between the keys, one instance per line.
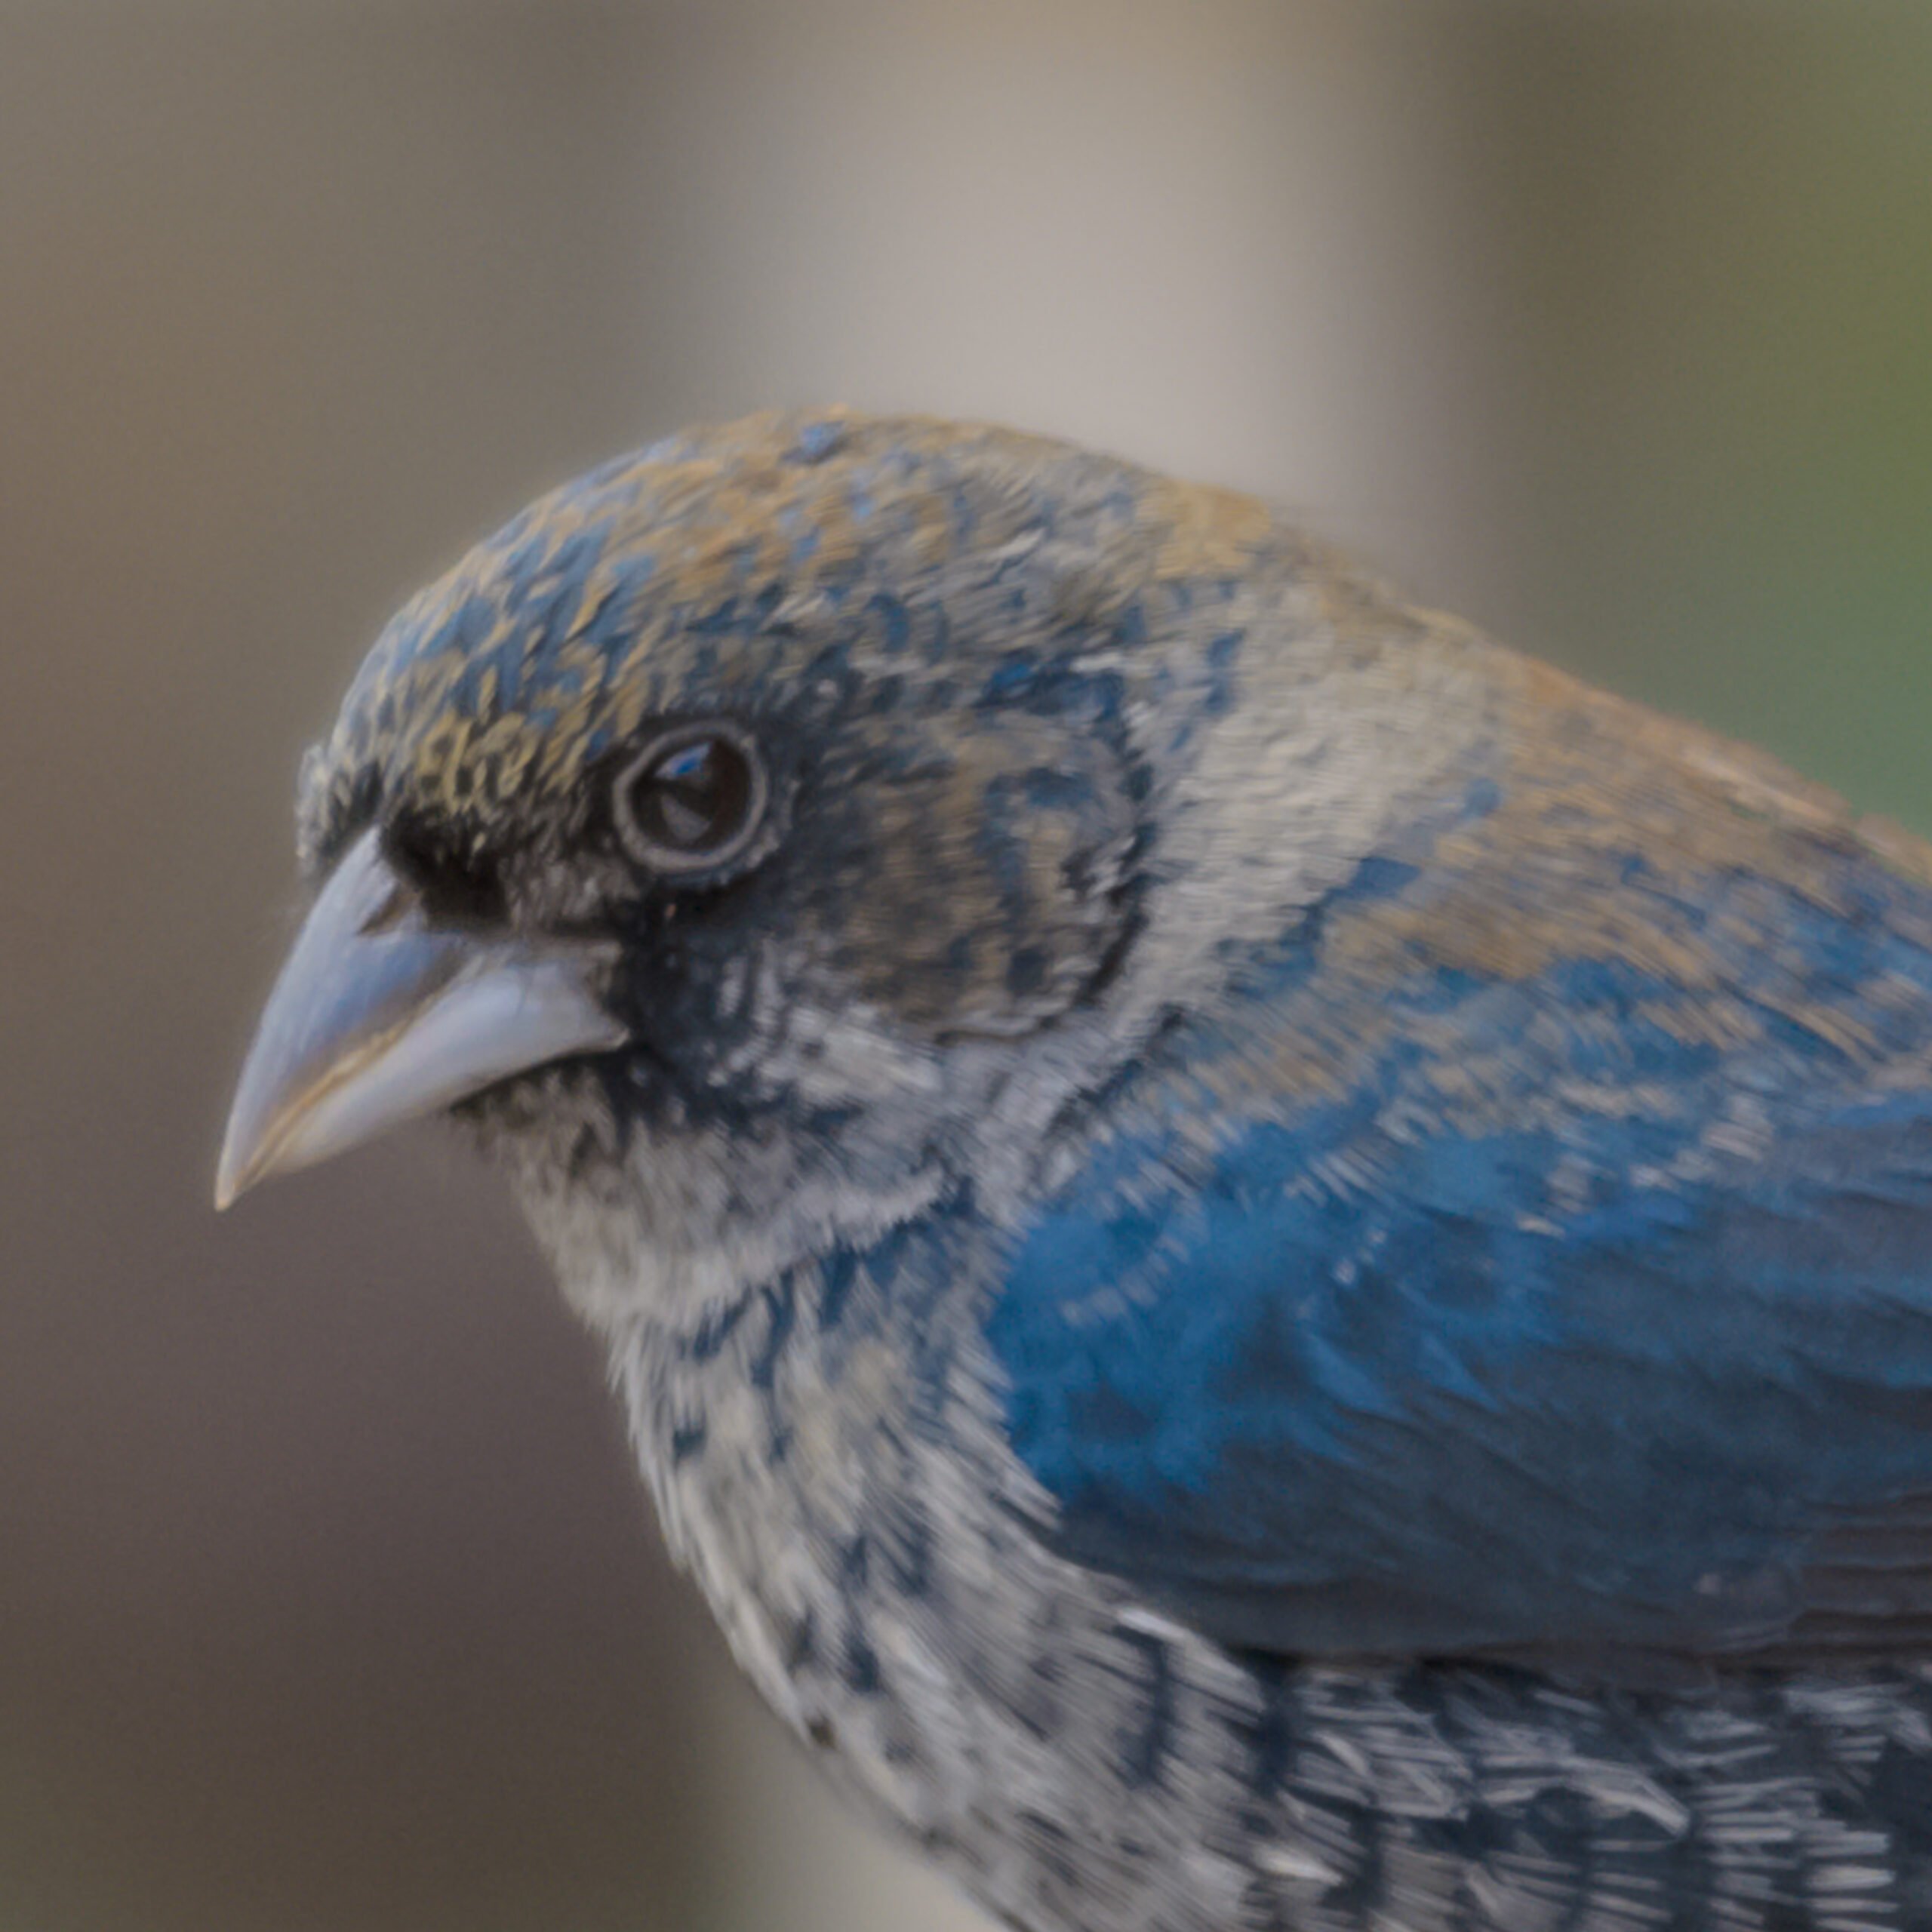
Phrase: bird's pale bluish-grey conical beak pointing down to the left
x=382 y=1017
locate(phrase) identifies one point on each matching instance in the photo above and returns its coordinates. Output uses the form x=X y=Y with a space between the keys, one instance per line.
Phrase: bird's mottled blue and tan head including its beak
x=743 y=828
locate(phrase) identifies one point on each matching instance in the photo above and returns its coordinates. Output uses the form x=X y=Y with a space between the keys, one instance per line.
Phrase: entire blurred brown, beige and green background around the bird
x=327 y=1599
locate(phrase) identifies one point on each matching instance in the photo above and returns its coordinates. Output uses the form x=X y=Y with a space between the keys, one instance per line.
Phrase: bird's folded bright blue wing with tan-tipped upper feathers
x=1529 y=1255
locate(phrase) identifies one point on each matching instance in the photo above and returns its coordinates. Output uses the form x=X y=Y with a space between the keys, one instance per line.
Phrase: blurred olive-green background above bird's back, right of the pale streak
x=1713 y=262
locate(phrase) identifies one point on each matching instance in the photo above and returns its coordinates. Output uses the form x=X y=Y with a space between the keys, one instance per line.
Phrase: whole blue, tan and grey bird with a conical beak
x=1272 y=1264
